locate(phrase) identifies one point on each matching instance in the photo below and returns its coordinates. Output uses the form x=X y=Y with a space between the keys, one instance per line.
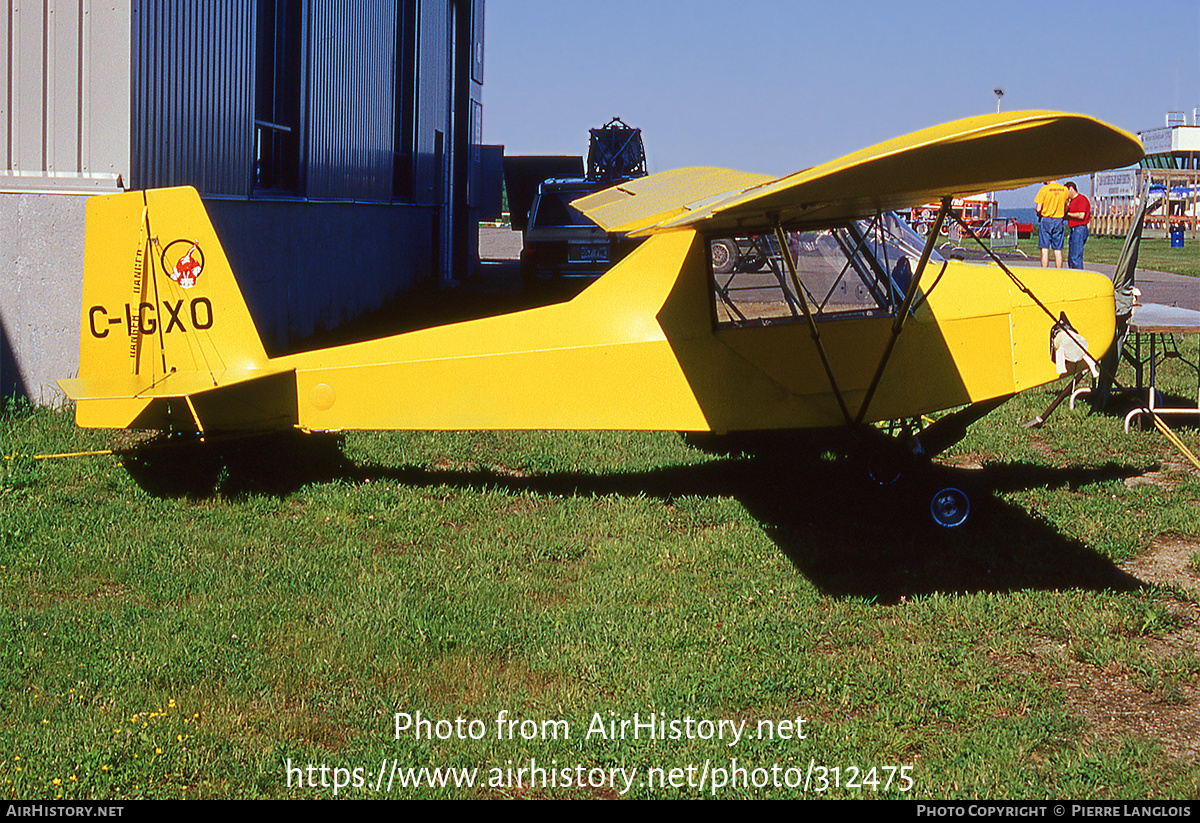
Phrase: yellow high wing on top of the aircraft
x=988 y=153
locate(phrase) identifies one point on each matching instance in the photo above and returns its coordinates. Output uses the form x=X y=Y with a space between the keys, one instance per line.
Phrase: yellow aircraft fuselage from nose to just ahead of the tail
x=639 y=351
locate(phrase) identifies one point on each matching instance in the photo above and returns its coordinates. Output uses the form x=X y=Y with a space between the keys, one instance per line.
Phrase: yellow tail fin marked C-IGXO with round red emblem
x=163 y=315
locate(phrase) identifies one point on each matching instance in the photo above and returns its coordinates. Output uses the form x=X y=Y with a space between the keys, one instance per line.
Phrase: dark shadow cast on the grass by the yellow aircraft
x=844 y=532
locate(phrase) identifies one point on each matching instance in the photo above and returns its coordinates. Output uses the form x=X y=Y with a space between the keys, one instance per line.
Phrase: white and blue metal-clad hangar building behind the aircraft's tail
x=335 y=143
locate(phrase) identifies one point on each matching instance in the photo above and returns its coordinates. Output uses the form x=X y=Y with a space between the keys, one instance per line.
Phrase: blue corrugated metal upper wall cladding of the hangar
x=194 y=111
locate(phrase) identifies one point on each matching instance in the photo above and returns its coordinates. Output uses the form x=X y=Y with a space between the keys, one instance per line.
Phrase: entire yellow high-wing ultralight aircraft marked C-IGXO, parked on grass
x=754 y=304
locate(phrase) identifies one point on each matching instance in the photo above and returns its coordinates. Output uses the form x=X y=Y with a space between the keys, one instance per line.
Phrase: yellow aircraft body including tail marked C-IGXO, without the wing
x=639 y=350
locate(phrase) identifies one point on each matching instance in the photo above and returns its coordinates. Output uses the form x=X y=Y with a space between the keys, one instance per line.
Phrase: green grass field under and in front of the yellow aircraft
x=194 y=647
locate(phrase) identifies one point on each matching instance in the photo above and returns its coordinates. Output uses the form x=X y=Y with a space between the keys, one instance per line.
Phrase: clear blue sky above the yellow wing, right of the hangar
x=775 y=87
